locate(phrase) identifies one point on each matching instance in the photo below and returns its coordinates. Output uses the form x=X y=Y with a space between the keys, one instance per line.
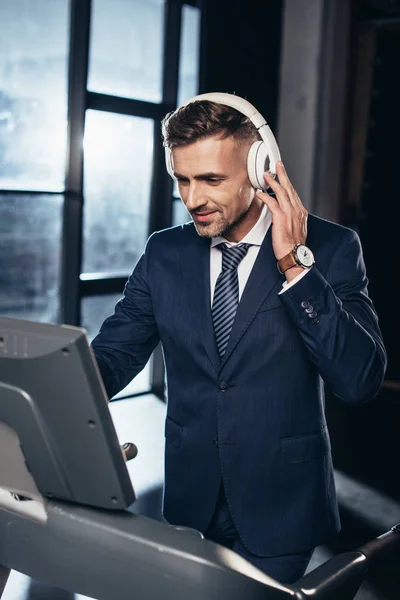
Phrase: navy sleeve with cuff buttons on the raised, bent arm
x=338 y=324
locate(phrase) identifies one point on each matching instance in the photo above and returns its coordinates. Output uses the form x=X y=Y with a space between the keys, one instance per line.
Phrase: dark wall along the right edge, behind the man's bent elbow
x=365 y=439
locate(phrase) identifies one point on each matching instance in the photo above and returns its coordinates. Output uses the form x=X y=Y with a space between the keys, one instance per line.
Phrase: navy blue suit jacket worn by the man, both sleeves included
x=255 y=419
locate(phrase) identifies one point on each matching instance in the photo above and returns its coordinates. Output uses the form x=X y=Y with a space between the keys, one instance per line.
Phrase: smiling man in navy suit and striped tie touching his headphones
x=247 y=346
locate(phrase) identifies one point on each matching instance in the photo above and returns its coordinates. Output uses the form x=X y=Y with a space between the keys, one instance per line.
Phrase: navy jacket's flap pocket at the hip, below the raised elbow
x=304 y=448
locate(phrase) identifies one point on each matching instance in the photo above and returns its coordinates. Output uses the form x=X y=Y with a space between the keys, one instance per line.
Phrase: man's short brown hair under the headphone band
x=202 y=119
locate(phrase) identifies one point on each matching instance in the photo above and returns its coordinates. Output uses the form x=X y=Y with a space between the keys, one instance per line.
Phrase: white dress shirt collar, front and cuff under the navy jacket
x=255 y=237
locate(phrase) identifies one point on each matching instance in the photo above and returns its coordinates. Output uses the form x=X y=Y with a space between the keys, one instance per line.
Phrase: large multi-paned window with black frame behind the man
x=70 y=237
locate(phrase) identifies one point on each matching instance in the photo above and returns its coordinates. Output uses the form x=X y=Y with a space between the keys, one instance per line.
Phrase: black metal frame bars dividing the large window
x=74 y=286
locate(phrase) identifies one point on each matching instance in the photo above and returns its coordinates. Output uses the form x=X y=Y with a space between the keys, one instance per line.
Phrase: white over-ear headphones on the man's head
x=262 y=155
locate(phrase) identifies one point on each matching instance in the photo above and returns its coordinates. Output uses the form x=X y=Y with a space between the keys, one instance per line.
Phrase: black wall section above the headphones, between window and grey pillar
x=241 y=51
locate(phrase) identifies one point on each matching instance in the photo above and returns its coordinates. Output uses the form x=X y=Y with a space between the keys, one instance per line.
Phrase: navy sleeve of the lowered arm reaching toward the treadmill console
x=128 y=337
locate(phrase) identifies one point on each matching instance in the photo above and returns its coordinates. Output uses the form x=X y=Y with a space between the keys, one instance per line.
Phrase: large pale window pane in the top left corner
x=33 y=94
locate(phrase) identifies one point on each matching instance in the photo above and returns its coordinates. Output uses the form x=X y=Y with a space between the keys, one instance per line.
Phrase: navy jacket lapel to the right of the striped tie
x=263 y=278
